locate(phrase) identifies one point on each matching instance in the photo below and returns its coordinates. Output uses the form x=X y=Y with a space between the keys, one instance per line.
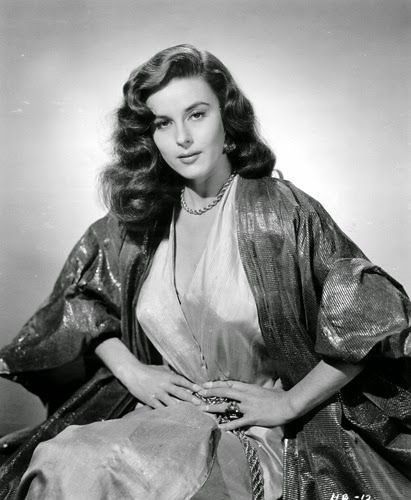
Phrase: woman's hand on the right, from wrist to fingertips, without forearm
x=258 y=405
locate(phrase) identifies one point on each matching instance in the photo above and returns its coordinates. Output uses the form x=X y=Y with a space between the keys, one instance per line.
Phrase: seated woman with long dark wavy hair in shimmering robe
x=266 y=354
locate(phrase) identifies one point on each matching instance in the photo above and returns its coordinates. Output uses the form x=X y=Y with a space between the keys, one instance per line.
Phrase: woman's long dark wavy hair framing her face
x=138 y=186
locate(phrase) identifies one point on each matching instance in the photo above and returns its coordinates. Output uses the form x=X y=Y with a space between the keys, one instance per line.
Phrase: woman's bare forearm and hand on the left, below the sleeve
x=153 y=385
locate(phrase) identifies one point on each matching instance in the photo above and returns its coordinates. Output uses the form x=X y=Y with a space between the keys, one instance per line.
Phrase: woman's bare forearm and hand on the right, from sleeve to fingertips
x=273 y=407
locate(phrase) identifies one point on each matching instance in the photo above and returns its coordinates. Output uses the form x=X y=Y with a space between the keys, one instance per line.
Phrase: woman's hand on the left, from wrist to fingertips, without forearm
x=157 y=386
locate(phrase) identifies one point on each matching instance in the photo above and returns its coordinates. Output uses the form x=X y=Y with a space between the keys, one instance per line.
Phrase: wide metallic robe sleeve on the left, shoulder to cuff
x=82 y=310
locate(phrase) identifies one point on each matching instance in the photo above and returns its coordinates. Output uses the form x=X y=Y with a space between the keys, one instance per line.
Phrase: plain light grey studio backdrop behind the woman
x=329 y=79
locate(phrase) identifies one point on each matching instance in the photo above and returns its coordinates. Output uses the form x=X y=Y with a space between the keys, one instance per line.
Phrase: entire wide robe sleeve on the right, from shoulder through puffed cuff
x=359 y=309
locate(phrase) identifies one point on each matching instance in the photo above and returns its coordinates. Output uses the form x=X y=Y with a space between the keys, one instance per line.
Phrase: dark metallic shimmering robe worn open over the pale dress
x=317 y=297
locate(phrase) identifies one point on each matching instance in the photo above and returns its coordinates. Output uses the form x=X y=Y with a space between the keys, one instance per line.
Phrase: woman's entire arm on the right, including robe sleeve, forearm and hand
x=362 y=312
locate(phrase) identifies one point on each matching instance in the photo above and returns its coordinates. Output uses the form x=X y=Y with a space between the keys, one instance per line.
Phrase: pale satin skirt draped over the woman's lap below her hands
x=148 y=454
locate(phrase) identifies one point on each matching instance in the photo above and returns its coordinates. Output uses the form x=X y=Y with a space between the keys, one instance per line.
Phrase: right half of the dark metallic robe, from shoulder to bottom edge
x=312 y=300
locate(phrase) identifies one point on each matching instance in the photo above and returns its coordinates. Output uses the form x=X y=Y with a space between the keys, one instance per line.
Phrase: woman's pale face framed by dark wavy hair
x=188 y=129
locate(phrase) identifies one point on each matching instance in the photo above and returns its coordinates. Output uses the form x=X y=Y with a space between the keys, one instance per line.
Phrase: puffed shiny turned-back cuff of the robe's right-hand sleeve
x=363 y=311
